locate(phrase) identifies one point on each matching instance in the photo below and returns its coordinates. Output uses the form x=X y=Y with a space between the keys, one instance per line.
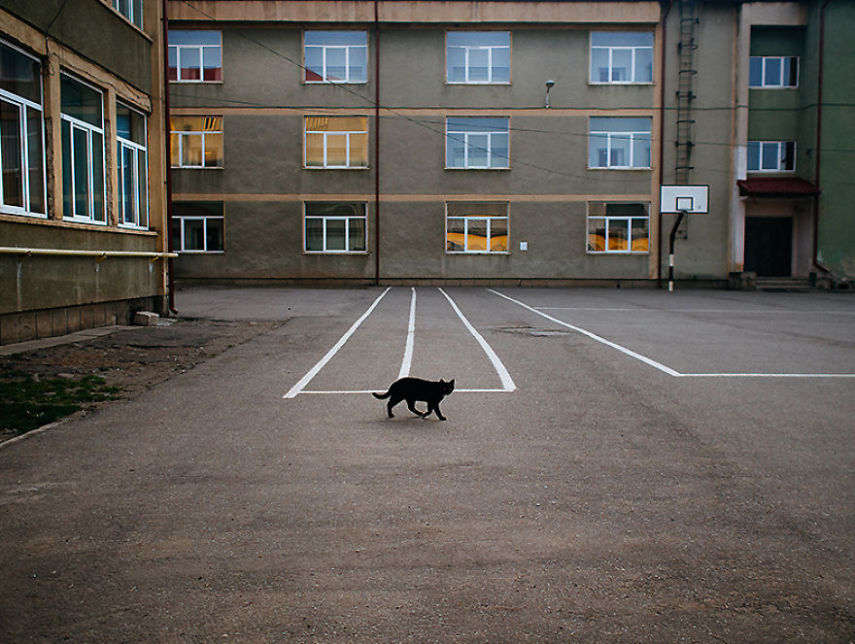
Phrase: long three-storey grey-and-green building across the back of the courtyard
x=405 y=141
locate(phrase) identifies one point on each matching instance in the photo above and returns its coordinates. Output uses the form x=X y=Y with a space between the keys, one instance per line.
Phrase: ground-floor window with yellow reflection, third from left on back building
x=476 y=227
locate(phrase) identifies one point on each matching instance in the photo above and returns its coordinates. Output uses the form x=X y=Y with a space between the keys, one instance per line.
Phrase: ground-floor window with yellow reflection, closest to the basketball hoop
x=618 y=227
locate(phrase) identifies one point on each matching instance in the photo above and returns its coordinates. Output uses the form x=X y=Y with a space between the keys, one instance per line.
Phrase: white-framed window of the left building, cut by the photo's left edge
x=22 y=157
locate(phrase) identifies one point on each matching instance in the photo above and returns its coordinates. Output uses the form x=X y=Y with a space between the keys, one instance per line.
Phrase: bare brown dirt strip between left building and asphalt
x=136 y=358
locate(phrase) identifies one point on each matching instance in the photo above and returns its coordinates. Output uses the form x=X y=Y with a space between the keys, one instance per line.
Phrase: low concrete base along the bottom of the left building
x=23 y=326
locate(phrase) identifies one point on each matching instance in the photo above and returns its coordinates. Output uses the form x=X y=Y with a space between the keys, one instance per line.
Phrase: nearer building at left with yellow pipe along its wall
x=82 y=200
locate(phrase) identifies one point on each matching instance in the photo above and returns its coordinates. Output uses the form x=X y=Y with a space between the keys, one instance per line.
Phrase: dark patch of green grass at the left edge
x=28 y=402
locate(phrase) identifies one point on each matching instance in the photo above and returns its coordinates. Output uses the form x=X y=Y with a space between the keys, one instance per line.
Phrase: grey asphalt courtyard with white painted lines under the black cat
x=617 y=466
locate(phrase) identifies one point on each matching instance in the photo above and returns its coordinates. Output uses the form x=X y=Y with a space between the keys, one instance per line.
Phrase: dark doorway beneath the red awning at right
x=769 y=246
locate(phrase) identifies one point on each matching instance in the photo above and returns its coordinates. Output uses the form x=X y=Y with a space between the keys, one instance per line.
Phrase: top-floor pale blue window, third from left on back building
x=478 y=56
